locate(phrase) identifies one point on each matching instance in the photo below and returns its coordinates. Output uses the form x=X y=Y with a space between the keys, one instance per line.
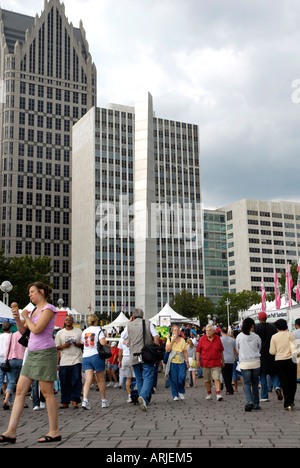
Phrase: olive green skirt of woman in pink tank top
x=41 y=365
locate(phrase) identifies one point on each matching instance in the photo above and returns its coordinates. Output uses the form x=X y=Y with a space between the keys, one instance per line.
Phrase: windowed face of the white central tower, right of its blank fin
x=178 y=195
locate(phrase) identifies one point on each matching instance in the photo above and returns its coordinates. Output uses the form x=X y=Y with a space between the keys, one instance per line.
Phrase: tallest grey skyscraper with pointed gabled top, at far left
x=48 y=84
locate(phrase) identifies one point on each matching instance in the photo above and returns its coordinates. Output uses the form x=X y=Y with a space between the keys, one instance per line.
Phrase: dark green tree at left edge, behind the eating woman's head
x=22 y=271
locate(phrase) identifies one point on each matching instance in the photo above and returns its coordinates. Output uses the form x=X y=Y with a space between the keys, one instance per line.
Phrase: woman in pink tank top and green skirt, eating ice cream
x=41 y=363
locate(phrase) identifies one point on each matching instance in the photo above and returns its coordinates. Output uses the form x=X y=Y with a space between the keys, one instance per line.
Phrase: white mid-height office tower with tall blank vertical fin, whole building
x=136 y=232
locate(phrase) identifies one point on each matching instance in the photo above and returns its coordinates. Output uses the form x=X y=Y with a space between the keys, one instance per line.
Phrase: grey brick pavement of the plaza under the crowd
x=188 y=424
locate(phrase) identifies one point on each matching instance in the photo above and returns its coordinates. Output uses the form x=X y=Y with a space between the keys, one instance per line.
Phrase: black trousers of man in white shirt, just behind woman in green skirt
x=71 y=383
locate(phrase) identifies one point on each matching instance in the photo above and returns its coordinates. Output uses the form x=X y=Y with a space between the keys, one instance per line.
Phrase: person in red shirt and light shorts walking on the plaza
x=210 y=351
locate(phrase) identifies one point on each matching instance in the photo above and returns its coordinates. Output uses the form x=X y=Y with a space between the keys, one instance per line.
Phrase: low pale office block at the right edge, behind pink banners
x=262 y=238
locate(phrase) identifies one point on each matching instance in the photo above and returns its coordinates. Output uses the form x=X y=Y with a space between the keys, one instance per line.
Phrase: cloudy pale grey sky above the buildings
x=230 y=66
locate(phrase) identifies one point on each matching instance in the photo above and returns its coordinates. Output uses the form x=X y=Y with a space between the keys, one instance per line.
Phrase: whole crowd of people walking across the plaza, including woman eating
x=261 y=355
